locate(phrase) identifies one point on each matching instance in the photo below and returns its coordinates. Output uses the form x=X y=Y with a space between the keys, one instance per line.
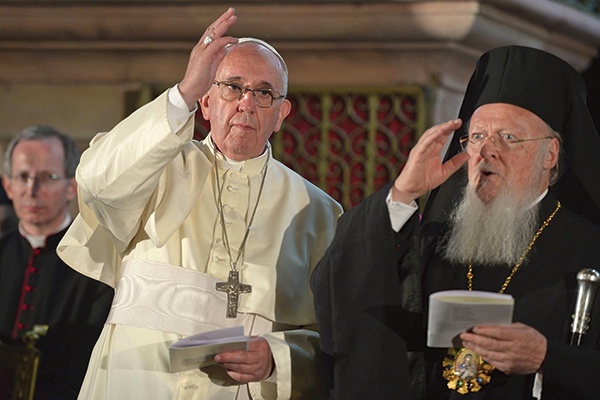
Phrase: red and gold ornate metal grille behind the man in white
x=348 y=142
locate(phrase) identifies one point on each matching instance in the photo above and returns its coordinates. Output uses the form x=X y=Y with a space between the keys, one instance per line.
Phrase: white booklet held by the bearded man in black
x=454 y=311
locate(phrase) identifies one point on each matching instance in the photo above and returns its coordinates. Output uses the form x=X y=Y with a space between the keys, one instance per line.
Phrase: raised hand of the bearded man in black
x=424 y=169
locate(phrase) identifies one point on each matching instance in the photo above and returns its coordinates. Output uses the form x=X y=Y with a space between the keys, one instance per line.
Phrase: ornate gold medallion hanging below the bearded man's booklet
x=465 y=370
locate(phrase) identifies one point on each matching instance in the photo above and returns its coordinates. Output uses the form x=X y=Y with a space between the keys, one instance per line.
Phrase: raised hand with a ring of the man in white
x=206 y=57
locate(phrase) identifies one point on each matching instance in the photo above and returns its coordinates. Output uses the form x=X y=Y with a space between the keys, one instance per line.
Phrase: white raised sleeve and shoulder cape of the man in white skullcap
x=125 y=182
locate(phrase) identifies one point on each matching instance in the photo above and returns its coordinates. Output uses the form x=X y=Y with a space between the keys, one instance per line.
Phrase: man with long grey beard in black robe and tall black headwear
x=375 y=279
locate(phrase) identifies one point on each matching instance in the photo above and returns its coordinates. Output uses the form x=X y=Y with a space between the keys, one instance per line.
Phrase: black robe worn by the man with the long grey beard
x=367 y=298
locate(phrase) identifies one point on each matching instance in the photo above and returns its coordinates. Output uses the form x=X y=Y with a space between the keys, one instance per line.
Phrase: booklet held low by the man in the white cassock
x=199 y=350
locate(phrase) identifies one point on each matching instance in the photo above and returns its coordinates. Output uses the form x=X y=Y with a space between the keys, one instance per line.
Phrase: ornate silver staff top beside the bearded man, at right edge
x=587 y=280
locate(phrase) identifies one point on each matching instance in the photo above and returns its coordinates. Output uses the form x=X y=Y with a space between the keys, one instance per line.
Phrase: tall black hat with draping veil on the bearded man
x=550 y=88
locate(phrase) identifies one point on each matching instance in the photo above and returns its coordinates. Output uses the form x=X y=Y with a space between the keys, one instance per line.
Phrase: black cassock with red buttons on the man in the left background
x=36 y=287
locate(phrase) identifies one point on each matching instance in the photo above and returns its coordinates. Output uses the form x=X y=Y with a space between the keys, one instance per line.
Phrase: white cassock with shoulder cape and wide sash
x=149 y=227
